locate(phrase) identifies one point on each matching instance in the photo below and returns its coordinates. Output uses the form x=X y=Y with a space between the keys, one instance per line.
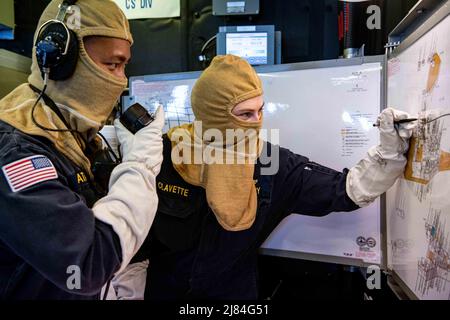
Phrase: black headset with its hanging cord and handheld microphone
x=57 y=52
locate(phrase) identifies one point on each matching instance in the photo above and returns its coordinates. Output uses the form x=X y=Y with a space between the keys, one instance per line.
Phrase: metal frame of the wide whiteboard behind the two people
x=304 y=66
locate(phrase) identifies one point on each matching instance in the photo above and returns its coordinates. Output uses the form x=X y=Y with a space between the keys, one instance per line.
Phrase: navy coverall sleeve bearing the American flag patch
x=51 y=228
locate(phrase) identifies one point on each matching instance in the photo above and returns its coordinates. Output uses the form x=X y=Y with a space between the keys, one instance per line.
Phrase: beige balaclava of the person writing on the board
x=230 y=188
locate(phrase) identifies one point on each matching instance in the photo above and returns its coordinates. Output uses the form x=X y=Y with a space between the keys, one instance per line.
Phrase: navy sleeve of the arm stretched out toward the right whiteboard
x=310 y=188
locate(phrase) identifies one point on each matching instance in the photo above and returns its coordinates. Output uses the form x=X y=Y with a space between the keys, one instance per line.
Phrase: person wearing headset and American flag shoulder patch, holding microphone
x=60 y=236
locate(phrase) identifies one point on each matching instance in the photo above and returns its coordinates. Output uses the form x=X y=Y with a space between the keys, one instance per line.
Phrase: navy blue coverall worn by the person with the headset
x=49 y=226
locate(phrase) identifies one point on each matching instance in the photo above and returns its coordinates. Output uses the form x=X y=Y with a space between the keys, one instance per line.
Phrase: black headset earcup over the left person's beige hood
x=57 y=46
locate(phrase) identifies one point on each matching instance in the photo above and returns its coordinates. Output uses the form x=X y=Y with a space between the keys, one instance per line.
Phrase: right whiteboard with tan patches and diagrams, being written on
x=418 y=206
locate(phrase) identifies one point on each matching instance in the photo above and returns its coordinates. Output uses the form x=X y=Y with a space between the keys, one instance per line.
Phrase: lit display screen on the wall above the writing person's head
x=250 y=46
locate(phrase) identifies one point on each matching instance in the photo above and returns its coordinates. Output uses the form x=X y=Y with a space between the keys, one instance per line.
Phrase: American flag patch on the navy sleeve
x=29 y=171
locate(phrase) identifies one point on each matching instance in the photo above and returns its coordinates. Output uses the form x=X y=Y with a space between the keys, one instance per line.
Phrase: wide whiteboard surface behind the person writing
x=323 y=110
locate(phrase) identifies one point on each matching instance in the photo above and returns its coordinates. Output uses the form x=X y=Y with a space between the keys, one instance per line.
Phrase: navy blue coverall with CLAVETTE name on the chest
x=191 y=256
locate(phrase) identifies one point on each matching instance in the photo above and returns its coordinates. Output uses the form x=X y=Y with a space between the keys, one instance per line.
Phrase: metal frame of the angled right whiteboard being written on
x=438 y=15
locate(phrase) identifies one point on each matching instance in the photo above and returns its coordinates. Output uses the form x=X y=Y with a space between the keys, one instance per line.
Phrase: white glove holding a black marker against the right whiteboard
x=376 y=173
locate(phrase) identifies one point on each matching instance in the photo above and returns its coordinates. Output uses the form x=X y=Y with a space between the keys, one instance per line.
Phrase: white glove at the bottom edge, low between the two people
x=130 y=283
